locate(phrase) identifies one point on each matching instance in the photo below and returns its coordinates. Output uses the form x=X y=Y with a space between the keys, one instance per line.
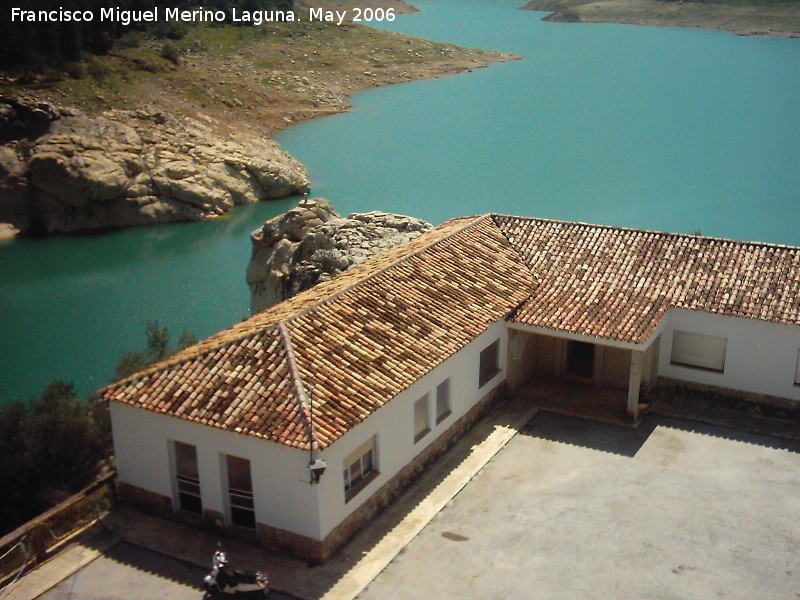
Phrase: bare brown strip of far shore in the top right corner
x=773 y=21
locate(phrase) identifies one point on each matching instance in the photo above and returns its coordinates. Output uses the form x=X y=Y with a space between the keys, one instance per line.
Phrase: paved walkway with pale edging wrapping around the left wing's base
x=345 y=575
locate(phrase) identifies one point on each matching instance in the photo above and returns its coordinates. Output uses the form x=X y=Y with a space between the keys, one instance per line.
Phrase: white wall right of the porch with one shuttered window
x=760 y=357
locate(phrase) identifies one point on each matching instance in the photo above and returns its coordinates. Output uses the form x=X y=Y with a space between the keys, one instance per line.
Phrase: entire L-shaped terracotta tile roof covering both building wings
x=358 y=340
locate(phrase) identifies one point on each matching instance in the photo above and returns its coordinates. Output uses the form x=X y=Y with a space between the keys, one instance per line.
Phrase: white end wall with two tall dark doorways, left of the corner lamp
x=283 y=497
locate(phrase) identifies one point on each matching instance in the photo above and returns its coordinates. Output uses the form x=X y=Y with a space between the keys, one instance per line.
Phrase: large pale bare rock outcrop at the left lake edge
x=132 y=167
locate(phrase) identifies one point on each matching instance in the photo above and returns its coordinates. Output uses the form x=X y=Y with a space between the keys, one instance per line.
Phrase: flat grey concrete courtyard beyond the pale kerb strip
x=576 y=509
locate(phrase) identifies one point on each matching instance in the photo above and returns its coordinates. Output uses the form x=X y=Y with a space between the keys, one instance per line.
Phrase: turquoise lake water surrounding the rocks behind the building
x=666 y=129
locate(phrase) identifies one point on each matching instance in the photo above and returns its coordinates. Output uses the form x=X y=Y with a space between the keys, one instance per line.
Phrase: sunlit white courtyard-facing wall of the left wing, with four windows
x=394 y=425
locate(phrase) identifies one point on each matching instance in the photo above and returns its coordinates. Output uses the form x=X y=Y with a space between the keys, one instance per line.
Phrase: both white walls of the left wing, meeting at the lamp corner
x=282 y=494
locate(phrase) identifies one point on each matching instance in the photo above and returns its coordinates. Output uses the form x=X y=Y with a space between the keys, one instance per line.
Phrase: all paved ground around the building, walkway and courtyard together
x=564 y=495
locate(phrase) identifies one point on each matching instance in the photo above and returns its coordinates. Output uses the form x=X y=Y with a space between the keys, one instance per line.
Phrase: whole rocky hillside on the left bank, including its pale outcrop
x=170 y=130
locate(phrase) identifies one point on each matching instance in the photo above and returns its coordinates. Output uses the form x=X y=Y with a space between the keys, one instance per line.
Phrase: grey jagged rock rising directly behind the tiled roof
x=311 y=243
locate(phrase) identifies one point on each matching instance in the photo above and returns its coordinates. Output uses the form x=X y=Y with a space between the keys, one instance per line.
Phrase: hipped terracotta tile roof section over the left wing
x=353 y=342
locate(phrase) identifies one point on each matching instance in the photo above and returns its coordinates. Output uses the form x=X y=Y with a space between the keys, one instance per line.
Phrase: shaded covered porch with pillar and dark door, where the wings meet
x=582 y=376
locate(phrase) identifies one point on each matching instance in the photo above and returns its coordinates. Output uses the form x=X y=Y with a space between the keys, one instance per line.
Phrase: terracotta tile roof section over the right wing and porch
x=616 y=283
